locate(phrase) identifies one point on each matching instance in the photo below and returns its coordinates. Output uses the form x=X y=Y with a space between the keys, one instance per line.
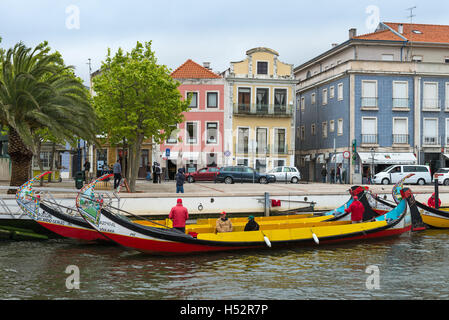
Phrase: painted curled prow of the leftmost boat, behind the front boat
x=51 y=217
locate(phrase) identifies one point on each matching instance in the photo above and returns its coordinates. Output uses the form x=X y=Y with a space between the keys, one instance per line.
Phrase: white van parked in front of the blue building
x=394 y=173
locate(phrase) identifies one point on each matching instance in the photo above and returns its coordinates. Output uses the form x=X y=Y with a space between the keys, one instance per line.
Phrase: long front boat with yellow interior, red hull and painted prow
x=156 y=240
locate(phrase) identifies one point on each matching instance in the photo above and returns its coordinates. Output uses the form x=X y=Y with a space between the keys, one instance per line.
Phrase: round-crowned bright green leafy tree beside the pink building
x=136 y=99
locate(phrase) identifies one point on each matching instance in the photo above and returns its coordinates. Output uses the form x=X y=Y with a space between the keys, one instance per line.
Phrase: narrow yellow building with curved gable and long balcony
x=261 y=97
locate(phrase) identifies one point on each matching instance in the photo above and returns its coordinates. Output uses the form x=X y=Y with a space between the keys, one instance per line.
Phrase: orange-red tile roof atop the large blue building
x=413 y=32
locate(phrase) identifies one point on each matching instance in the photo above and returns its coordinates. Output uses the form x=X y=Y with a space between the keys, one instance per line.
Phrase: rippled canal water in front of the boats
x=412 y=266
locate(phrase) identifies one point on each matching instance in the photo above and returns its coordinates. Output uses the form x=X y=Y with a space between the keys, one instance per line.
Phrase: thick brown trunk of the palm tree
x=21 y=157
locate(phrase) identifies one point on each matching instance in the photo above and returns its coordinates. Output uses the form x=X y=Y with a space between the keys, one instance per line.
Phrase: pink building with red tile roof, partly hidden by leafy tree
x=198 y=141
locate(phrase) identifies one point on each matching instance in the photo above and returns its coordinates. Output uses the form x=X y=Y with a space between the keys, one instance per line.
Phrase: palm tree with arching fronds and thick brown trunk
x=38 y=91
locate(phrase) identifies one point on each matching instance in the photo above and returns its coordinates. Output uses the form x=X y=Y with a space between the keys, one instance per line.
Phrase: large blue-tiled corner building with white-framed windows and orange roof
x=375 y=100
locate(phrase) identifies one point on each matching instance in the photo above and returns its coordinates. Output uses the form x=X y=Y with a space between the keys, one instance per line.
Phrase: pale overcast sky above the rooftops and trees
x=215 y=31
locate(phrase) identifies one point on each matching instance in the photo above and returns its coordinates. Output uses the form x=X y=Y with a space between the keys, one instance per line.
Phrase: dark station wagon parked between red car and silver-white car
x=243 y=174
